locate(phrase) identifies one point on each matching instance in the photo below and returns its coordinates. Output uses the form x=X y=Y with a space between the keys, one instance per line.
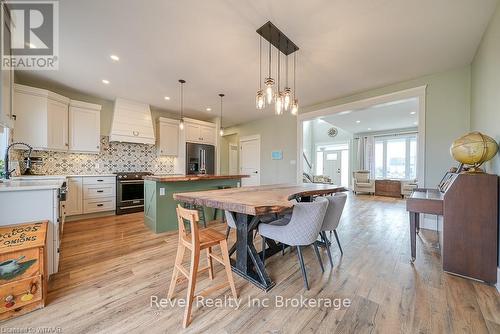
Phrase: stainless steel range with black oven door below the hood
x=130 y=192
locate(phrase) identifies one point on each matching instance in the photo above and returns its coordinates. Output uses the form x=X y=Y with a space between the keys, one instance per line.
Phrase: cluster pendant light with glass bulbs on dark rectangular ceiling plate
x=286 y=99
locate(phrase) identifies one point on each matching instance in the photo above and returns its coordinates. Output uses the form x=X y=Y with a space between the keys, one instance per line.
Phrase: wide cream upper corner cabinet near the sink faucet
x=41 y=118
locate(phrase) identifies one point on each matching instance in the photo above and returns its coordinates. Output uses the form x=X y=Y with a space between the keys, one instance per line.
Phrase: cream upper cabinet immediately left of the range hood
x=84 y=127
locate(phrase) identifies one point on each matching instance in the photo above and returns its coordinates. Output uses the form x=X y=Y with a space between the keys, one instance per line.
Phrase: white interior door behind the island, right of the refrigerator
x=250 y=160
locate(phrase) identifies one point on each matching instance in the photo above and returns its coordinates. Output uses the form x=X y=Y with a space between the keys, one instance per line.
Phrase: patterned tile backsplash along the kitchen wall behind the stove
x=113 y=157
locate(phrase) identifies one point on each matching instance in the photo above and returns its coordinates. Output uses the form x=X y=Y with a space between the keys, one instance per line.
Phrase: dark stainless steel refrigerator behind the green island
x=200 y=159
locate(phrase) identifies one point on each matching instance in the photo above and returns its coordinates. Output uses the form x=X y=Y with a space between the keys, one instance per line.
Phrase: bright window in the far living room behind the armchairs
x=396 y=157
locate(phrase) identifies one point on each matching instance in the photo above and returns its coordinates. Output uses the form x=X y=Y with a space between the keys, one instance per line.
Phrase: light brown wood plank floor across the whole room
x=110 y=267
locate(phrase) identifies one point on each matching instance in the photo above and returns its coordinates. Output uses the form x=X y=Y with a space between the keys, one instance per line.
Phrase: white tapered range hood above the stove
x=132 y=123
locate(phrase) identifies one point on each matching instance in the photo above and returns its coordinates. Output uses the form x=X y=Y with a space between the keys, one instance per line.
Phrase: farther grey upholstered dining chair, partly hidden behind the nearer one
x=331 y=221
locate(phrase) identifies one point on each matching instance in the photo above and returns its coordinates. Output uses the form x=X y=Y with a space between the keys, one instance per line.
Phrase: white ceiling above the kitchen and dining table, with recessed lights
x=346 y=46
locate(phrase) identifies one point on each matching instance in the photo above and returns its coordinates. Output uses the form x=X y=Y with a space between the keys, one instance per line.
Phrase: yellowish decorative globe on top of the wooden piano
x=474 y=149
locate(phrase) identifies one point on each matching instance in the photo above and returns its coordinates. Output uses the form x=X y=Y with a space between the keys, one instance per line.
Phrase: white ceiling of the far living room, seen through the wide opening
x=388 y=116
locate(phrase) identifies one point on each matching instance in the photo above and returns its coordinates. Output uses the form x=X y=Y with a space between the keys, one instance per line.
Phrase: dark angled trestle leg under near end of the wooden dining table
x=248 y=263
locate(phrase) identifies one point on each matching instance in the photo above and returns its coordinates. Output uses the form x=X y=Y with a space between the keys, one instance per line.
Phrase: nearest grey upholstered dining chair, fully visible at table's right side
x=301 y=230
